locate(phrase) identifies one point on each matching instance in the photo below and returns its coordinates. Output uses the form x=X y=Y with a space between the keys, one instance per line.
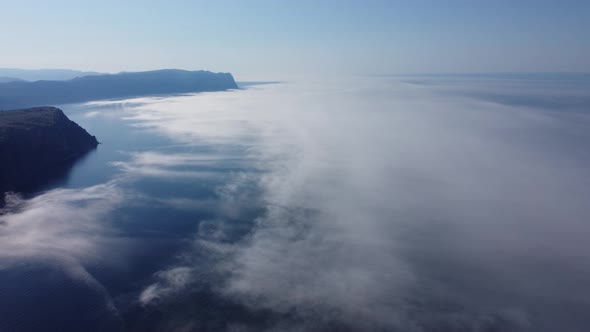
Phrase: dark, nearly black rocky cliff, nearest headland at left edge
x=37 y=145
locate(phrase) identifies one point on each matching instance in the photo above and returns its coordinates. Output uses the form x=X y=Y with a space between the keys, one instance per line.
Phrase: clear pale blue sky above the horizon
x=279 y=37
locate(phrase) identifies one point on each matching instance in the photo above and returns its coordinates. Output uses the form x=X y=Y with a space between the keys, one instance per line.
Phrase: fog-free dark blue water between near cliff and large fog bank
x=147 y=228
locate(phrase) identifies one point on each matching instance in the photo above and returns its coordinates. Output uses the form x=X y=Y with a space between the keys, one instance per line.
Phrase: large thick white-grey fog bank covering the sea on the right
x=398 y=206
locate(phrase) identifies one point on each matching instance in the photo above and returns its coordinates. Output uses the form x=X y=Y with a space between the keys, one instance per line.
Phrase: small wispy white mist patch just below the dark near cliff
x=72 y=222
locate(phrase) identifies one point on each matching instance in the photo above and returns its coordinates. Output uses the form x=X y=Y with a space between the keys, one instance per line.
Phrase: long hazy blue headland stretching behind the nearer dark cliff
x=111 y=86
